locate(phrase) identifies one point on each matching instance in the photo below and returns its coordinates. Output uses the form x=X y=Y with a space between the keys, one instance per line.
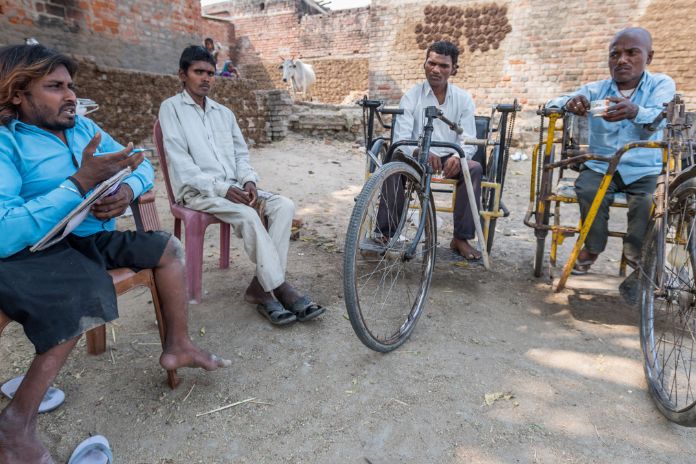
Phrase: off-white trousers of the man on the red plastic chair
x=268 y=249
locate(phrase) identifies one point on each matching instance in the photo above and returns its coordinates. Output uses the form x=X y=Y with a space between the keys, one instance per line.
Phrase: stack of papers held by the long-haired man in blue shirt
x=75 y=217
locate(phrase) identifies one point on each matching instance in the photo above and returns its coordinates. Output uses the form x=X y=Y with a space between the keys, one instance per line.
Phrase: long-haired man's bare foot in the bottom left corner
x=19 y=443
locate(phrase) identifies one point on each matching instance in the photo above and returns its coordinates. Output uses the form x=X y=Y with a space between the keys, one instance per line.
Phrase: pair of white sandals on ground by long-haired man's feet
x=94 y=450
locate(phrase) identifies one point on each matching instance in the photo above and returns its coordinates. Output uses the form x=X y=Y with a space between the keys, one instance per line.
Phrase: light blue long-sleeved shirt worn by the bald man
x=606 y=137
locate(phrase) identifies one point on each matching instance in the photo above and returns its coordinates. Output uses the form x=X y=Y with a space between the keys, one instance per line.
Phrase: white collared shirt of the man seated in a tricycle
x=458 y=107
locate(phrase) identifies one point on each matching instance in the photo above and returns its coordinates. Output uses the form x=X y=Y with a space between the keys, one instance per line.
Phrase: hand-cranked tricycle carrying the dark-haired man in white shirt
x=392 y=235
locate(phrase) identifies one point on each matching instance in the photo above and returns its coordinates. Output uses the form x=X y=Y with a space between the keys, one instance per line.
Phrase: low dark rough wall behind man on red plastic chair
x=130 y=100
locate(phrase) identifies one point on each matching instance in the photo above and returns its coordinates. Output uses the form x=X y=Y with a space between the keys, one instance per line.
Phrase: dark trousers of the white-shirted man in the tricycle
x=392 y=203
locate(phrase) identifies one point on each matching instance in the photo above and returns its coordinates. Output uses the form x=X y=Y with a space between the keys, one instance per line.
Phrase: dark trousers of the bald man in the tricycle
x=639 y=195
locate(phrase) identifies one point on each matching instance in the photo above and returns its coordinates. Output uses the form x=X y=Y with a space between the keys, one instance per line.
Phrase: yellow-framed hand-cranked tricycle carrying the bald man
x=667 y=270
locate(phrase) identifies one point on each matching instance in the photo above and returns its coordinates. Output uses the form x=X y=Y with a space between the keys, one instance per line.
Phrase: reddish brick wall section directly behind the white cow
x=335 y=44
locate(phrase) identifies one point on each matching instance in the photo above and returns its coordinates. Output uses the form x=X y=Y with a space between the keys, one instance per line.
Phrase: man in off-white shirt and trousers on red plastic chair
x=209 y=169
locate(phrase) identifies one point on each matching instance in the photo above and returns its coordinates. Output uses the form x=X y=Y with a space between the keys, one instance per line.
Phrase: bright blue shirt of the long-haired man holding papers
x=34 y=192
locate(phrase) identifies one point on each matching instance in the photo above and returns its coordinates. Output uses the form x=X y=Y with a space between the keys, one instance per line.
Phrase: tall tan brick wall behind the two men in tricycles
x=551 y=48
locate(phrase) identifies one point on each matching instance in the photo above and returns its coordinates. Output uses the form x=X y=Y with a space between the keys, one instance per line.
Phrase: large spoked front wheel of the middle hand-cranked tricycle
x=359 y=311
